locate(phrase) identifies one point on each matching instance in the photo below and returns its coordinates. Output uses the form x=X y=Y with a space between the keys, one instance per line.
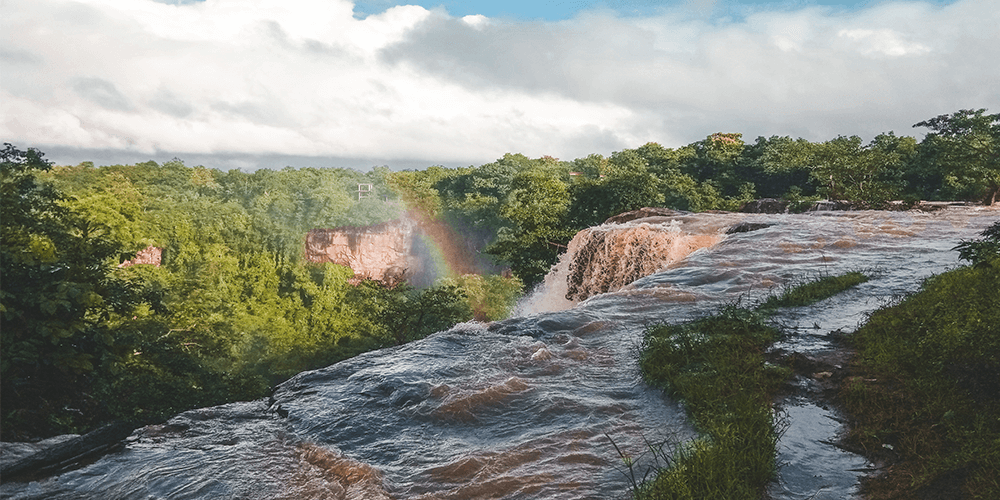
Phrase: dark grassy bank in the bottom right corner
x=928 y=387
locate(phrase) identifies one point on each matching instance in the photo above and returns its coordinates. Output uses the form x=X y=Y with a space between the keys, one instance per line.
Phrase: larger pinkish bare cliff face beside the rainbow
x=381 y=252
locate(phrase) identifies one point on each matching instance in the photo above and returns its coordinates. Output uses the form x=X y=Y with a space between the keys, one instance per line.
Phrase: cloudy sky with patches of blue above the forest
x=251 y=84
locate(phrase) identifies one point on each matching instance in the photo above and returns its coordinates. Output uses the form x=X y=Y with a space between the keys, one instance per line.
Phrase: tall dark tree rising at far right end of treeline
x=966 y=147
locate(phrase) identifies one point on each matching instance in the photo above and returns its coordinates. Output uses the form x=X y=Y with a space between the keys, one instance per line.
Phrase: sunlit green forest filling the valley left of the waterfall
x=232 y=309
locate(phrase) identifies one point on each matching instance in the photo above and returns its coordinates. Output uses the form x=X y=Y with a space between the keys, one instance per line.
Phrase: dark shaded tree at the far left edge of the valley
x=58 y=292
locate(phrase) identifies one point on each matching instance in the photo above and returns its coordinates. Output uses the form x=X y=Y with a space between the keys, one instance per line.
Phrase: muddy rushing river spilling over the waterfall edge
x=526 y=407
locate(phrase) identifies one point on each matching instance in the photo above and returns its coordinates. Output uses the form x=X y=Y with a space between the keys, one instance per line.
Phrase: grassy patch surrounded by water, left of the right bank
x=716 y=366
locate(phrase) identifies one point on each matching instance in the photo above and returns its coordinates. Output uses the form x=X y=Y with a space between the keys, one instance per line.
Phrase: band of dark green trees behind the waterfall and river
x=528 y=209
